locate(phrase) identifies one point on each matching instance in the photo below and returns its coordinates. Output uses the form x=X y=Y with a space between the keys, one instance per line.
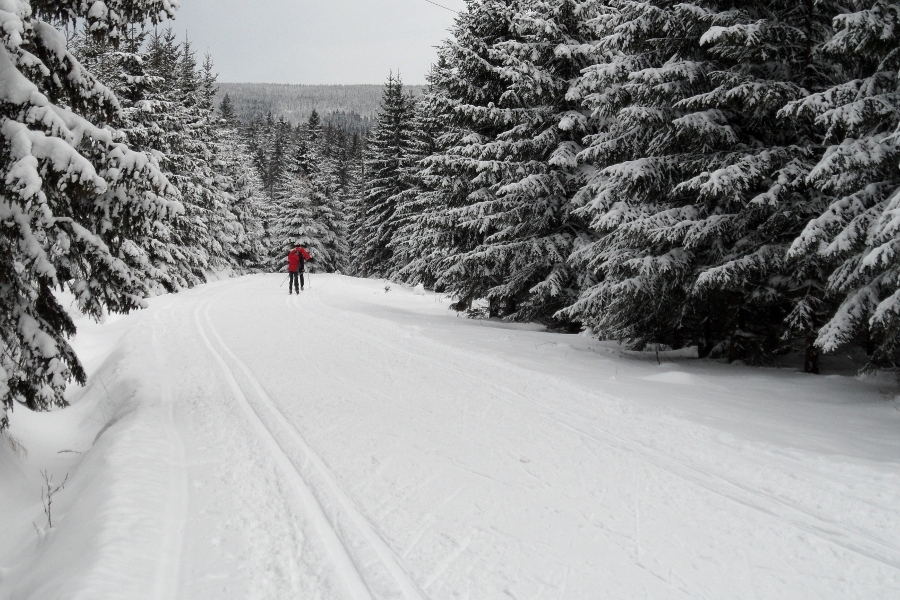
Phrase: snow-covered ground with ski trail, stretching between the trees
x=352 y=442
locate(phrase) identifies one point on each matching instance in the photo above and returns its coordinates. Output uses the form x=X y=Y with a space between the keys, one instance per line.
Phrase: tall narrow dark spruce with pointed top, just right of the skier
x=385 y=150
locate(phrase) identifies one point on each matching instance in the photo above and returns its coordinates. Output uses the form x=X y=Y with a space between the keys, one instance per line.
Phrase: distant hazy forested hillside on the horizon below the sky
x=296 y=102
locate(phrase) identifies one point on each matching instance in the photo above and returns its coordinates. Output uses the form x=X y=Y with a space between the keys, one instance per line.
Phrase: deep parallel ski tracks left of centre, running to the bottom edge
x=346 y=561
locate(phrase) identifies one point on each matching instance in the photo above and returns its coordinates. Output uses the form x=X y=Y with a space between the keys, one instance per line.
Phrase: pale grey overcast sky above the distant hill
x=317 y=41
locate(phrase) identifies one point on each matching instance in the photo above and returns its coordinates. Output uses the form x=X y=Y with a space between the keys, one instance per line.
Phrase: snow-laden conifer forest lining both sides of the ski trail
x=723 y=176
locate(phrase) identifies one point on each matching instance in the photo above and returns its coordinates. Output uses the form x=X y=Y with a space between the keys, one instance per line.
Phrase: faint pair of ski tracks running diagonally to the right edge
x=779 y=509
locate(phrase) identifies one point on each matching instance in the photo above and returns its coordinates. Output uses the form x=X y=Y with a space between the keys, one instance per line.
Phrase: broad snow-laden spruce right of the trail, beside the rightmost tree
x=698 y=189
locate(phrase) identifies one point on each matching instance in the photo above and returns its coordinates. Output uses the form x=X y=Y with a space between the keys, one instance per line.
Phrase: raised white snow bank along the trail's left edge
x=112 y=448
